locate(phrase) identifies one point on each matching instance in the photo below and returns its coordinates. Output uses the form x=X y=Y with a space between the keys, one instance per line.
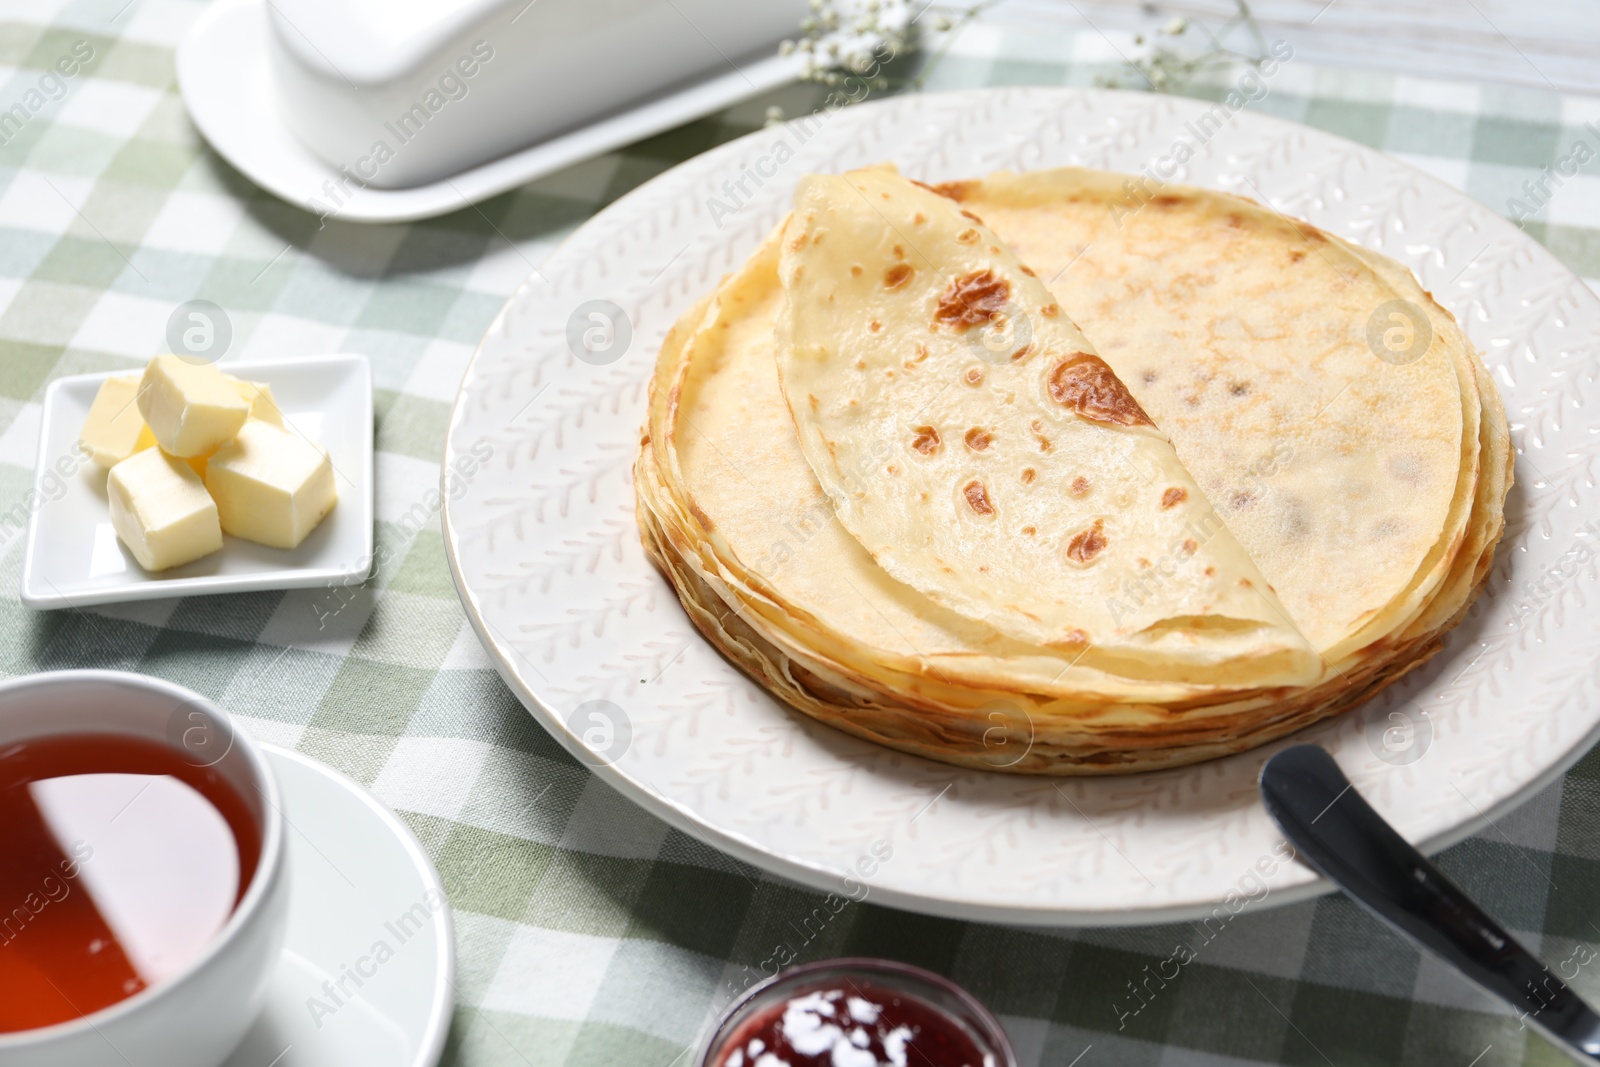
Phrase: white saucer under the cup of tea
x=356 y=873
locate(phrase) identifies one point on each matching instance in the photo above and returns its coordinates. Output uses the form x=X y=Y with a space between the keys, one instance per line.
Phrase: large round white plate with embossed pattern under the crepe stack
x=546 y=553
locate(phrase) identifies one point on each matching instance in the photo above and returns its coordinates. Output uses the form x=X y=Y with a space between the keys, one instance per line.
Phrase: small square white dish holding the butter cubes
x=74 y=559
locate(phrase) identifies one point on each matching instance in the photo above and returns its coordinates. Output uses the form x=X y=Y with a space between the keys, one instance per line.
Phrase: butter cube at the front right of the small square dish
x=271 y=486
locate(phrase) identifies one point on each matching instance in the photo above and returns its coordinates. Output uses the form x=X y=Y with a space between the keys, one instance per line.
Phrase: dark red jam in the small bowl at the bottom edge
x=854 y=1026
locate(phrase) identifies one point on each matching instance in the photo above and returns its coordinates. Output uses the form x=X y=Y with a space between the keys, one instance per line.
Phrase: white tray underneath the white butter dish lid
x=226 y=82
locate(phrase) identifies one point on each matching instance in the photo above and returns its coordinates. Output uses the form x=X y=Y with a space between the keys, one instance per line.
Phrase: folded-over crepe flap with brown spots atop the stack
x=1025 y=490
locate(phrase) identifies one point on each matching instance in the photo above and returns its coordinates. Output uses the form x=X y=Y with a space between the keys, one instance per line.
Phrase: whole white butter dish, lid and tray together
x=390 y=113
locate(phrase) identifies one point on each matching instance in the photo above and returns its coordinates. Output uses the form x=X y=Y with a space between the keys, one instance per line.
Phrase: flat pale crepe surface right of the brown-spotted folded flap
x=1246 y=335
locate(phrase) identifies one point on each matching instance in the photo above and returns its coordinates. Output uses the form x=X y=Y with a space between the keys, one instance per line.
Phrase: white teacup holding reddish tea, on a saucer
x=199 y=1015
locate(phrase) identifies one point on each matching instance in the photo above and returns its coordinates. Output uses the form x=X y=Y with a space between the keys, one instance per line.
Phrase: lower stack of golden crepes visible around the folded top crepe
x=732 y=514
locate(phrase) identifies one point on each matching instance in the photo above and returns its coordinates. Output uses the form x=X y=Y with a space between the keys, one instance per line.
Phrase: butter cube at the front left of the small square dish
x=162 y=511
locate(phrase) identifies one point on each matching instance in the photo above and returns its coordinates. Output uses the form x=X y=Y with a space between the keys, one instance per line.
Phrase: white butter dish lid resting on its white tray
x=409 y=94
